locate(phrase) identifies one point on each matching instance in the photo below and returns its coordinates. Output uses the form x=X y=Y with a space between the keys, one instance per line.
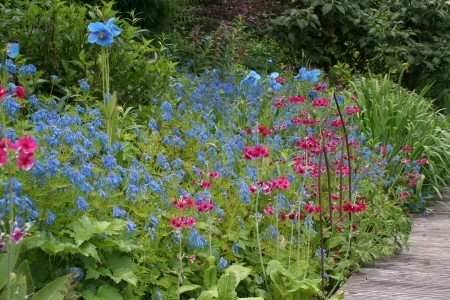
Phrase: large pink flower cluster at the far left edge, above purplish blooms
x=24 y=150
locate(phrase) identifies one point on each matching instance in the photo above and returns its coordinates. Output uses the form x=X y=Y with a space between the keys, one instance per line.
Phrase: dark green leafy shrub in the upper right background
x=407 y=36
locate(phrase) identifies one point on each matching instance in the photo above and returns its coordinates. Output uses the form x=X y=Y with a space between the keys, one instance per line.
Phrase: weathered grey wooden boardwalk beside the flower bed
x=420 y=273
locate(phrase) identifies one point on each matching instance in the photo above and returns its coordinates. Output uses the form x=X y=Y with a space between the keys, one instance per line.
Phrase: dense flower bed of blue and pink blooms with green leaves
x=221 y=186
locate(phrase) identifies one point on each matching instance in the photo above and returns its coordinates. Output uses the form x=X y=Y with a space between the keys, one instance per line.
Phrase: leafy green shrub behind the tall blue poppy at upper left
x=54 y=37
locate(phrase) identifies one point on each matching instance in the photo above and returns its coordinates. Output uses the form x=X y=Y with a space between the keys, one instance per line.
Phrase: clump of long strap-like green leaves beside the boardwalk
x=392 y=116
